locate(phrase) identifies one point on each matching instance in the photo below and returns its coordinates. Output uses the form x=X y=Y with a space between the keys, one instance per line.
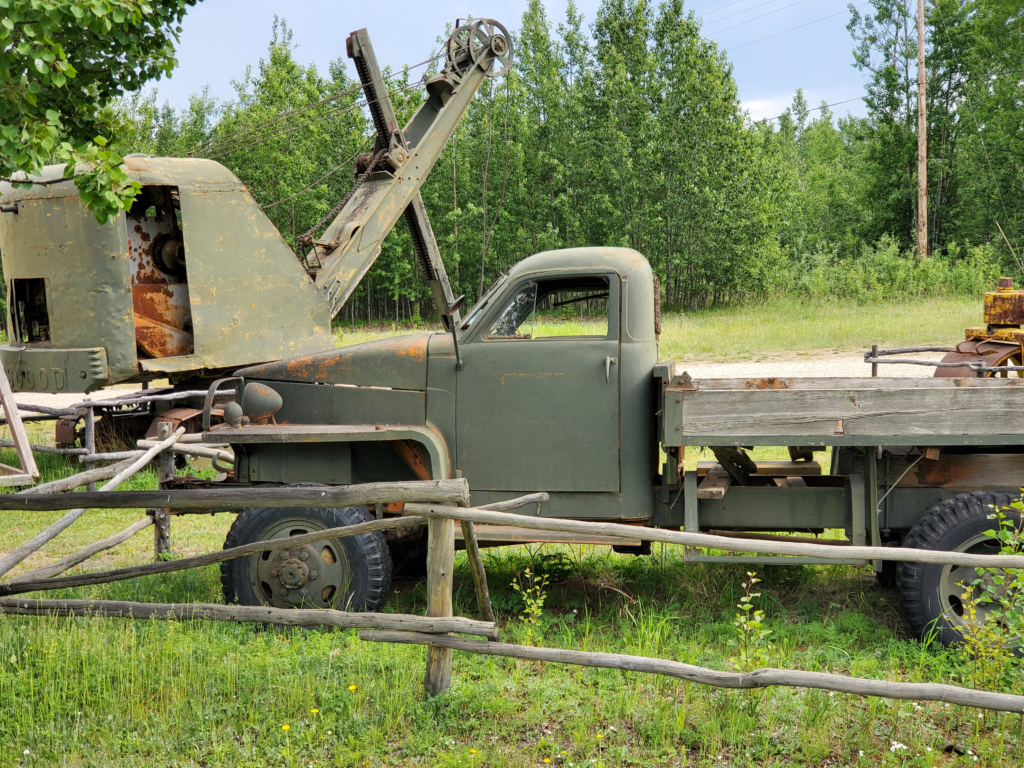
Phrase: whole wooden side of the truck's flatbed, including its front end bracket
x=819 y=412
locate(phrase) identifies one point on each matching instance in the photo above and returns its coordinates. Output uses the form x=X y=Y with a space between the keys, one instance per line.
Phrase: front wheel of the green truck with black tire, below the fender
x=349 y=574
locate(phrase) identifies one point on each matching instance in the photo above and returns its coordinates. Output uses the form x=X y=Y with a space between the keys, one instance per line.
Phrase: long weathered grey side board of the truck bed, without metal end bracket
x=912 y=414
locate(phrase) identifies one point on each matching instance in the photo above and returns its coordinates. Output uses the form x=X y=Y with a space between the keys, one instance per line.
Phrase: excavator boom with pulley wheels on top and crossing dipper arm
x=392 y=176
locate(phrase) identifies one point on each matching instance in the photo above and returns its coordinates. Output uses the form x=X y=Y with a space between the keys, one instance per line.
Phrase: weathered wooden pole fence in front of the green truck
x=437 y=504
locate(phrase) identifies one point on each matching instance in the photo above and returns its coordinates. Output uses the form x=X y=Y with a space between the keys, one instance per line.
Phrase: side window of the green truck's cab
x=564 y=308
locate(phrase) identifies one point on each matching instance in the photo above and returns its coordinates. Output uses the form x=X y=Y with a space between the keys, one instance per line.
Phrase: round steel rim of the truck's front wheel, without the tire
x=315 y=576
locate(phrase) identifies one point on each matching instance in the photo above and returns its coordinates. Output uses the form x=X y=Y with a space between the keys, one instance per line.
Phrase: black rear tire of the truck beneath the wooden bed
x=928 y=592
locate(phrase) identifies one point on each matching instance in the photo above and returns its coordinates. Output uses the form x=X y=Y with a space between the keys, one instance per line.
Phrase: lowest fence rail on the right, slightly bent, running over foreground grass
x=762 y=678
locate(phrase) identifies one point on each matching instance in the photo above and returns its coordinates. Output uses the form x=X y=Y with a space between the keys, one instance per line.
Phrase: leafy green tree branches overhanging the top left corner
x=62 y=64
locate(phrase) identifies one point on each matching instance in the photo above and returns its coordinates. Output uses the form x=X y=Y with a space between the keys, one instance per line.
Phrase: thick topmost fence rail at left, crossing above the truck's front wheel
x=227 y=500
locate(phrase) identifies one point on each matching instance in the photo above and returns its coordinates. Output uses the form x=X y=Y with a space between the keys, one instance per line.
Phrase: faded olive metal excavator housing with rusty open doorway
x=250 y=300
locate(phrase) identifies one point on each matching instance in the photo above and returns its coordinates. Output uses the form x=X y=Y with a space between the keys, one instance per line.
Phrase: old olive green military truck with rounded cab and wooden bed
x=584 y=411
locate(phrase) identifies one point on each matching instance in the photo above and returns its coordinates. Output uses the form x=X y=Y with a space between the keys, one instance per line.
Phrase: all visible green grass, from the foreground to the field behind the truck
x=113 y=693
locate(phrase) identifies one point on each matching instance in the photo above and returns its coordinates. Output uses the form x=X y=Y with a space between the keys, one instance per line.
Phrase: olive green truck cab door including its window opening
x=538 y=397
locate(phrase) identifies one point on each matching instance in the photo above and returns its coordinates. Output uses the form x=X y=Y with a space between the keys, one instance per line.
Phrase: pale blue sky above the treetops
x=777 y=47
